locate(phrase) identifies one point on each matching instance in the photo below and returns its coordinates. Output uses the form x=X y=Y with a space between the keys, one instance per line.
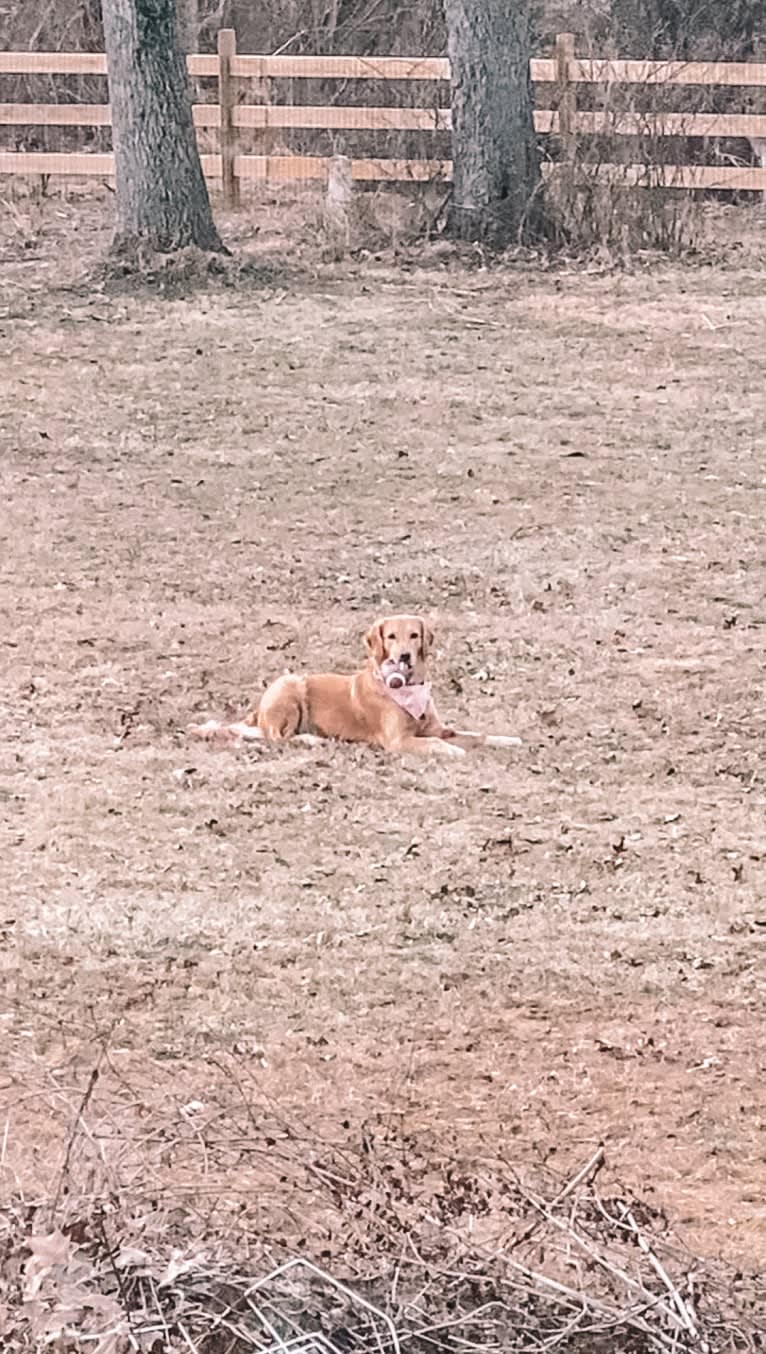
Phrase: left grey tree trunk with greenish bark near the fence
x=162 y=194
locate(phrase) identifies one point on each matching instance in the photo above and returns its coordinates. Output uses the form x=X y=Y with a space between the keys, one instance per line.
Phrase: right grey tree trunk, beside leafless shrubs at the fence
x=496 y=185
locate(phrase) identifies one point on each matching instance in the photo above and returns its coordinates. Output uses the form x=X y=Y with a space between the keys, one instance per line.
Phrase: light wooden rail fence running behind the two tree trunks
x=565 y=75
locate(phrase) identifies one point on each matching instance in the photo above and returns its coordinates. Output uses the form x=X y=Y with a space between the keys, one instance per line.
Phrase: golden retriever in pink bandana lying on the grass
x=386 y=705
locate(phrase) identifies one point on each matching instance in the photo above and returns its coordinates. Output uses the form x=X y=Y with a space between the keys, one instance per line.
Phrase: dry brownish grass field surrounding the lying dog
x=522 y=955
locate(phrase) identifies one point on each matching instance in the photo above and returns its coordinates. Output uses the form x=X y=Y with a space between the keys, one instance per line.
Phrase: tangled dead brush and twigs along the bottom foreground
x=273 y=1240
